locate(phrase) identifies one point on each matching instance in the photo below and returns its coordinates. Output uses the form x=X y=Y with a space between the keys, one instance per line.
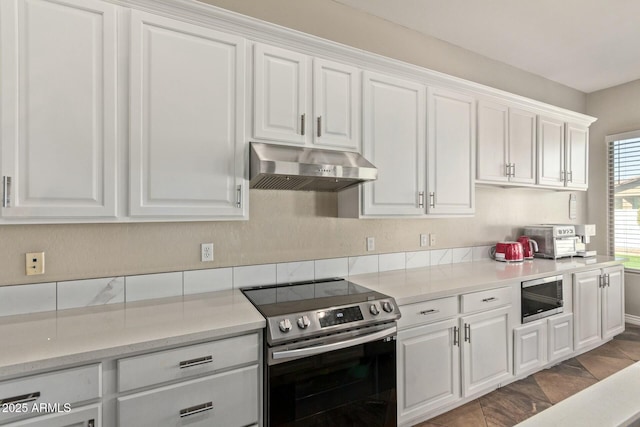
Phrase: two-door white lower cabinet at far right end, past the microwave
x=598 y=297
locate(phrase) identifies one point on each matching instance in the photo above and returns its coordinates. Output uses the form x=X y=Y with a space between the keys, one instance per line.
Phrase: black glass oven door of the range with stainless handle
x=339 y=382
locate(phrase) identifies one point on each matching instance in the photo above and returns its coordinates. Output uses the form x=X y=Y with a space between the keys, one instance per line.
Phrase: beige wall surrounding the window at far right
x=618 y=110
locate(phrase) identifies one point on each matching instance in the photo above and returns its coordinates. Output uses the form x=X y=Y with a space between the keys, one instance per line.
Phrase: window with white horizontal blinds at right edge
x=624 y=197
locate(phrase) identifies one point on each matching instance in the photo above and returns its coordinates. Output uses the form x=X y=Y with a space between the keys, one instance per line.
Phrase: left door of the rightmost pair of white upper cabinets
x=551 y=167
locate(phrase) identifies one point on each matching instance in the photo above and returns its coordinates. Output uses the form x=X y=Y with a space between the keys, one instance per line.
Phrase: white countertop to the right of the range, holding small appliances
x=422 y=284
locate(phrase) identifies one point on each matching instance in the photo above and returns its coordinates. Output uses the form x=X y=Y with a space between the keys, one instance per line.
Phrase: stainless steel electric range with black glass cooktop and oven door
x=330 y=354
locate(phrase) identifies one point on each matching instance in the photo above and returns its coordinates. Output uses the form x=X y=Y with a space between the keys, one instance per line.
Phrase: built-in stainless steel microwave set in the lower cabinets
x=541 y=298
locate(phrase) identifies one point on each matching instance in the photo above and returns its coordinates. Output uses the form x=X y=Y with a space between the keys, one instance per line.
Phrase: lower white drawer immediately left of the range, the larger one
x=228 y=399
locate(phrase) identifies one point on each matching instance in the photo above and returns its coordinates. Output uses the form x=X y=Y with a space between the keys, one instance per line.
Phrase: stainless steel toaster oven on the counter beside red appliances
x=554 y=241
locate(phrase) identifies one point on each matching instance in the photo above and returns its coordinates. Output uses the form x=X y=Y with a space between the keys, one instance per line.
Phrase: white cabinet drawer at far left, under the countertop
x=61 y=387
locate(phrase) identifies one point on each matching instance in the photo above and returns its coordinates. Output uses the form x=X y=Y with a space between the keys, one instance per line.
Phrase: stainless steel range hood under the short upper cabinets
x=281 y=167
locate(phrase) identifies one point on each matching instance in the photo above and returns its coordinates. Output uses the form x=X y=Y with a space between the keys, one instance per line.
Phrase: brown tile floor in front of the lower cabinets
x=511 y=404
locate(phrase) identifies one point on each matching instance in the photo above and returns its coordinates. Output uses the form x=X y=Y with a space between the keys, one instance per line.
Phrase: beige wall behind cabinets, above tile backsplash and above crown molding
x=286 y=226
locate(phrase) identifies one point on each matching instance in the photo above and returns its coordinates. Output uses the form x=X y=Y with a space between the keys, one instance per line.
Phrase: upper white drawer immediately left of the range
x=155 y=368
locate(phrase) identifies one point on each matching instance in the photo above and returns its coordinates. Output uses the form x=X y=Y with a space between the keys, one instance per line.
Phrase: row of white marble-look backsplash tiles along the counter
x=22 y=299
